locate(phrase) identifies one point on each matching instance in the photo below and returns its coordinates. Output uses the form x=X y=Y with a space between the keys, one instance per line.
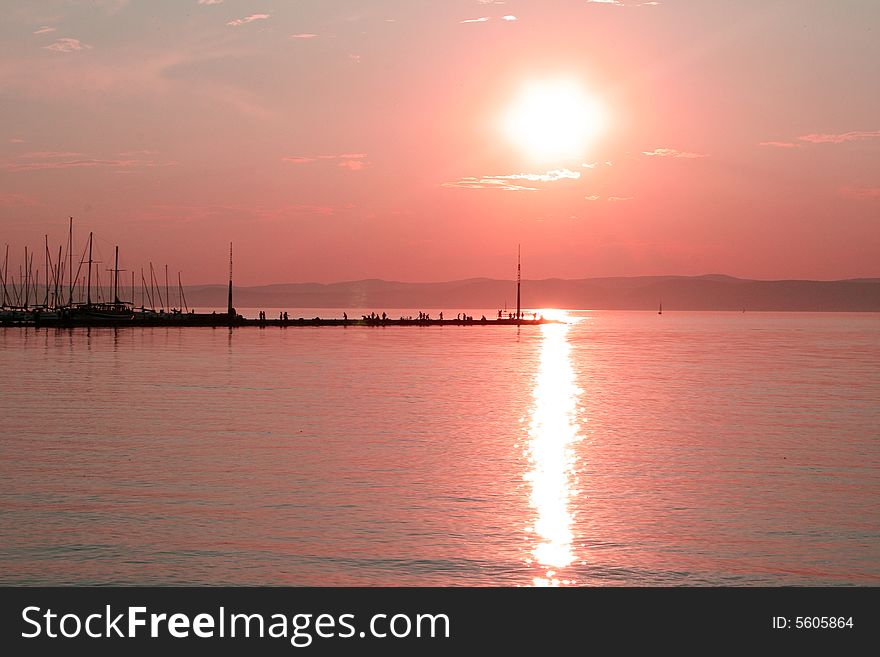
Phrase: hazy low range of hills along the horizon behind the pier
x=710 y=292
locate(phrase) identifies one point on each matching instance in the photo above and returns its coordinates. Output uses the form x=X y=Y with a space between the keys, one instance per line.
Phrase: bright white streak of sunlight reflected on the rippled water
x=553 y=433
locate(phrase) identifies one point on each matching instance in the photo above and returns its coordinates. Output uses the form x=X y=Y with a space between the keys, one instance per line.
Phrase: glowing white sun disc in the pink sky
x=553 y=120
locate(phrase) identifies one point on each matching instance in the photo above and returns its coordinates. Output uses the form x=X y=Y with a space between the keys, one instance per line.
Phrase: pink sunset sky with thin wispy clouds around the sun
x=340 y=140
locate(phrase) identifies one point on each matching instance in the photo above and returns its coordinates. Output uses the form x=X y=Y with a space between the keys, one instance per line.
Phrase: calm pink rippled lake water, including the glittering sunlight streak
x=622 y=448
